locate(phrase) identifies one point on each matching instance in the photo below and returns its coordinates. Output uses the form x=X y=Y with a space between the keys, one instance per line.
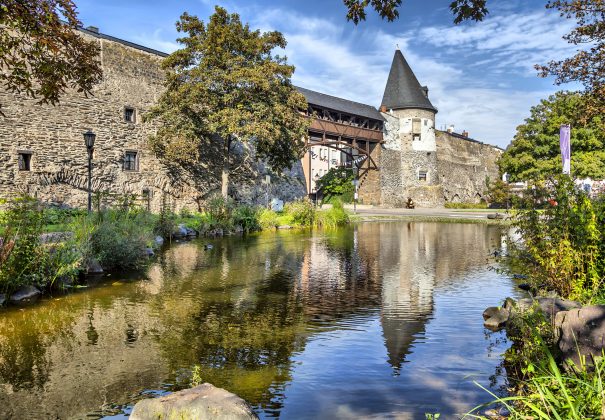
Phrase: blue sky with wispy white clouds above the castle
x=480 y=75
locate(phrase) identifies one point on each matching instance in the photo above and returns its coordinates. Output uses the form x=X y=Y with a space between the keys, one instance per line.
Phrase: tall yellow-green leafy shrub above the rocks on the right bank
x=563 y=245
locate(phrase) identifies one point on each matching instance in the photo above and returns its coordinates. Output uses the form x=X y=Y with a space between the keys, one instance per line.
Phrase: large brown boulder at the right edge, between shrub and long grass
x=581 y=332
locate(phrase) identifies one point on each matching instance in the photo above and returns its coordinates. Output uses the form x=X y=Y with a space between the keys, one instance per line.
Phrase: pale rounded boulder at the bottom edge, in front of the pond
x=202 y=402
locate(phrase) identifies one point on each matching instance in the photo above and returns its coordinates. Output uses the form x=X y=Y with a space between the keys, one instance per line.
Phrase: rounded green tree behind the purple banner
x=534 y=152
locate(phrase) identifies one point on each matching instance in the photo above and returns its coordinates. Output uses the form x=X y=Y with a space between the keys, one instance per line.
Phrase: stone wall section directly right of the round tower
x=463 y=165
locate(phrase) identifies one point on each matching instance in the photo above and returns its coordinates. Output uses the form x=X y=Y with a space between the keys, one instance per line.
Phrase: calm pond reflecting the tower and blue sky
x=375 y=320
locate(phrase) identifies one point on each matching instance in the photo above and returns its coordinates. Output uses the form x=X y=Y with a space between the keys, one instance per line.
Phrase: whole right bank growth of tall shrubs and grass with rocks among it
x=556 y=366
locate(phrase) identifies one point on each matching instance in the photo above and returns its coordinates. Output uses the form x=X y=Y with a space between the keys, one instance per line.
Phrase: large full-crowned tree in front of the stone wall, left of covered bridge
x=223 y=87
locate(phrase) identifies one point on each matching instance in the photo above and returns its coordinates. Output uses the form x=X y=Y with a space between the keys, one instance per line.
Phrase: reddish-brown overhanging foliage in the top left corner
x=41 y=52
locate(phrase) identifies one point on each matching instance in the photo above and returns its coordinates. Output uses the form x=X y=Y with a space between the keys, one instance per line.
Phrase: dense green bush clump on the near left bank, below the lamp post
x=33 y=261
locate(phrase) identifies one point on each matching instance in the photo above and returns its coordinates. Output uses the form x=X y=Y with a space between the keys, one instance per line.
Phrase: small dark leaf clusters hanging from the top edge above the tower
x=388 y=9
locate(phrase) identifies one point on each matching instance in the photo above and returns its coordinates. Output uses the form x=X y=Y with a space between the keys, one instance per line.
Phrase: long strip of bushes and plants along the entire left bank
x=42 y=249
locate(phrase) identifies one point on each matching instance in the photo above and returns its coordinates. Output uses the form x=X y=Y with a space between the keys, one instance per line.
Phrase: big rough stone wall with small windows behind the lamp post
x=53 y=136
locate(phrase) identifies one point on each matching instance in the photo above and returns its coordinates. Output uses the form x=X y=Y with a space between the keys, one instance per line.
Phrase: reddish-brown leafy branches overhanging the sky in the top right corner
x=588 y=65
